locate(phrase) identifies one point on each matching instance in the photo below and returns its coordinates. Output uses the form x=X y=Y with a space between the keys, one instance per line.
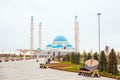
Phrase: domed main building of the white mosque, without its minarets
x=59 y=46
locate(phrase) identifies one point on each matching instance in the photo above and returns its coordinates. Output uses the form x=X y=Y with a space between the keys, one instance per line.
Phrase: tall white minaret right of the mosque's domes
x=76 y=35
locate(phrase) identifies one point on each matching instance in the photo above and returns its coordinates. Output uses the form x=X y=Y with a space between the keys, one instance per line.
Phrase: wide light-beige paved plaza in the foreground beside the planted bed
x=29 y=70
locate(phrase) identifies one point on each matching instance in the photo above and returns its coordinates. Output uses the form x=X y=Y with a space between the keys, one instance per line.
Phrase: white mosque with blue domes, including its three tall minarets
x=59 y=46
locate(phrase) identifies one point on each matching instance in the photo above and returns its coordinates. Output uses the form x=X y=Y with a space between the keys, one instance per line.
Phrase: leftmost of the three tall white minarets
x=31 y=34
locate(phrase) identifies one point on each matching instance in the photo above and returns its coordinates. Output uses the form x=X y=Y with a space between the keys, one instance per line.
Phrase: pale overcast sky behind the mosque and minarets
x=57 y=17
